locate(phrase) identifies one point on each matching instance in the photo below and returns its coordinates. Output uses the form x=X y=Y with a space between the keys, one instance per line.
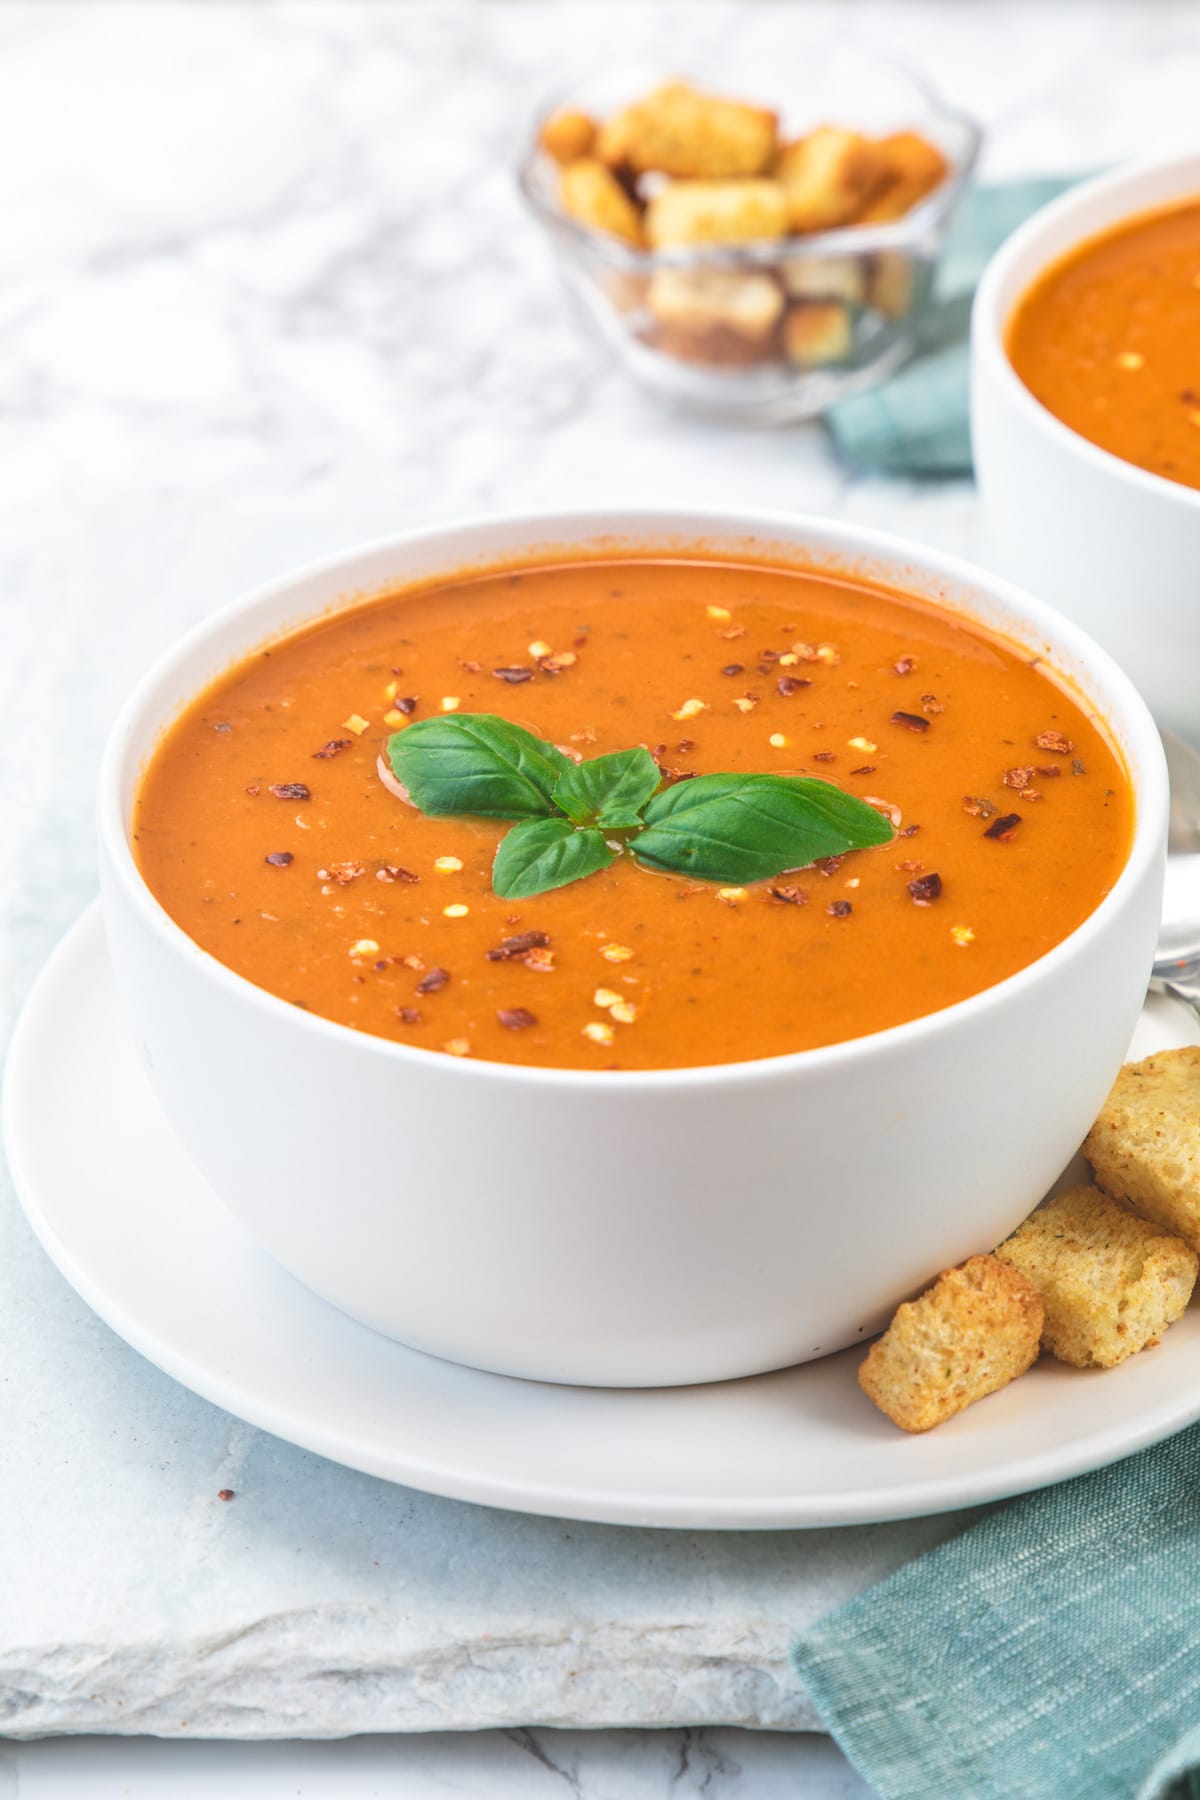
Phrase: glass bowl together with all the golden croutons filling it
x=748 y=256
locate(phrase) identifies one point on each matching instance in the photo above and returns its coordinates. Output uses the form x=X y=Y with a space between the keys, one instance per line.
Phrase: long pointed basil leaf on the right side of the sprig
x=748 y=829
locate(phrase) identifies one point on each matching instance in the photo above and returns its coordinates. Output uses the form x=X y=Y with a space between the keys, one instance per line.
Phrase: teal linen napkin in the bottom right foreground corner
x=1050 y=1653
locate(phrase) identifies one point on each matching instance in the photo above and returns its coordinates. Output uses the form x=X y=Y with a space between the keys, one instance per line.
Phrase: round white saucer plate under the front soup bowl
x=134 y=1228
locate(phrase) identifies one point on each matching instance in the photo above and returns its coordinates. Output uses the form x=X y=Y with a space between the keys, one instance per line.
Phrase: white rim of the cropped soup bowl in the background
x=989 y=323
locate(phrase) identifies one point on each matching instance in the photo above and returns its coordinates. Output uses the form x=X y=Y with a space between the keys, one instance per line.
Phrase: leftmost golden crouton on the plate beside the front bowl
x=974 y=1331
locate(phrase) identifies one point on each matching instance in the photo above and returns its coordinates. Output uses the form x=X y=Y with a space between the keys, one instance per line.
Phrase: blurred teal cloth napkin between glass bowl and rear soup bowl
x=918 y=422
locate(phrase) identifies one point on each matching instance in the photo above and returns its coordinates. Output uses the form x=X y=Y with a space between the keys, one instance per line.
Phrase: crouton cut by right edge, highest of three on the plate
x=1145 y=1146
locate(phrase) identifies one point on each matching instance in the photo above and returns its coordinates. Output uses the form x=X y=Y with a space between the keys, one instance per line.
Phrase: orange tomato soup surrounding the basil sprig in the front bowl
x=267 y=832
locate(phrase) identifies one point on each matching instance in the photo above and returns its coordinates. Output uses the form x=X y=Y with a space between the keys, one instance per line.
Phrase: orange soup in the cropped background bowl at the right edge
x=1109 y=343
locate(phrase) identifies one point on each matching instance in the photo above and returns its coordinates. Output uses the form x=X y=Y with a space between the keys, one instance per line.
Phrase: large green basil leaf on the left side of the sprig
x=476 y=764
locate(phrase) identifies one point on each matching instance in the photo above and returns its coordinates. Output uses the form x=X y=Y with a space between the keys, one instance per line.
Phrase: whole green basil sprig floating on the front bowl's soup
x=577 y=818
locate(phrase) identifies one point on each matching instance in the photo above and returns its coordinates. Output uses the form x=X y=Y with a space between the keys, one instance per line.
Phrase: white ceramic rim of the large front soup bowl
x=582 y=526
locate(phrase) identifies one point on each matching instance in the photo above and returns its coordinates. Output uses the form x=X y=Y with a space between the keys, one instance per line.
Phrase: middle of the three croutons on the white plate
x=1111 y=1282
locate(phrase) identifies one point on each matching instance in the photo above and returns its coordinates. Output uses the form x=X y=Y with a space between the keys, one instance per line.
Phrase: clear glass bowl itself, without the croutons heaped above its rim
x=873 y=280
